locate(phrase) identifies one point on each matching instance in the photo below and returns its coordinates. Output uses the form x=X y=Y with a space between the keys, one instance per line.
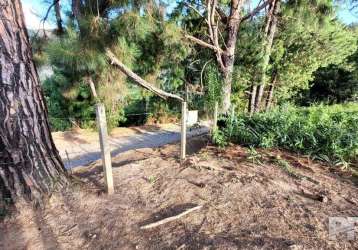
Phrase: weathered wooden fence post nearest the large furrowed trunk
x=105 y=149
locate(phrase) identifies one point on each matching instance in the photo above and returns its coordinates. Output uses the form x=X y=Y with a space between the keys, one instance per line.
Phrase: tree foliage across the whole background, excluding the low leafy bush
x=309 y=46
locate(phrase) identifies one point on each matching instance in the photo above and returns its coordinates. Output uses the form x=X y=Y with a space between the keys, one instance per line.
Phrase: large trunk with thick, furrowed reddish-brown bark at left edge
x=30 y=165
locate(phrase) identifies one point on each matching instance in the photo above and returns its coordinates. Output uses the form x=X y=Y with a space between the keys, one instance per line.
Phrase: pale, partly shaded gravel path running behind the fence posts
x=79 y=149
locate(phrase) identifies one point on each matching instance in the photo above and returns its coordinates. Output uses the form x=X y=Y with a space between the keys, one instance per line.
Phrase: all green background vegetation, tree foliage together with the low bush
x=312 y=63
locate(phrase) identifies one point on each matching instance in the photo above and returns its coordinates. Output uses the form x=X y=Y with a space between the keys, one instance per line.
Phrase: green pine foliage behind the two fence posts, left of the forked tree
x=144 y=41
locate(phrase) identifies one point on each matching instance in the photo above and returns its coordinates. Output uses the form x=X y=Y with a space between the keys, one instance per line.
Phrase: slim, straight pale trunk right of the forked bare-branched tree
x=270 y=30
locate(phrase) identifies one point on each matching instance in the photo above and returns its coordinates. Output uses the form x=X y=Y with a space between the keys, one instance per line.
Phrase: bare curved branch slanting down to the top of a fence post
x=138 y=80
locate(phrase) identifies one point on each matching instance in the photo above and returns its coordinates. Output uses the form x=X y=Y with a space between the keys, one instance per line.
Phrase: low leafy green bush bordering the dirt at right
x=324 y=132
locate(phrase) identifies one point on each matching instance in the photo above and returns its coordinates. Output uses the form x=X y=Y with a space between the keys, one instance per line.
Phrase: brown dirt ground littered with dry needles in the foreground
x=248 y=201
